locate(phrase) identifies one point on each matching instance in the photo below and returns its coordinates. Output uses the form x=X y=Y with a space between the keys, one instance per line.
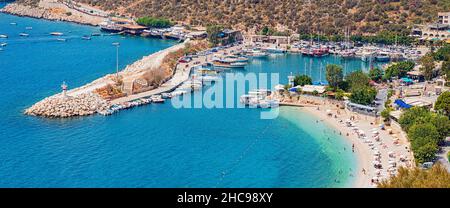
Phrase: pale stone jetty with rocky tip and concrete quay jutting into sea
x=83 y=100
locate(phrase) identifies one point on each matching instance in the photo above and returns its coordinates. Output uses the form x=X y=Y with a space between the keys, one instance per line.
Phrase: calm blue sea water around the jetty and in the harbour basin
x=153 y=145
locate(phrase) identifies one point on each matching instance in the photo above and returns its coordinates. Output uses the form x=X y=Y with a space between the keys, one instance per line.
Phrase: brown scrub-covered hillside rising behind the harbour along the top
x=306 y=16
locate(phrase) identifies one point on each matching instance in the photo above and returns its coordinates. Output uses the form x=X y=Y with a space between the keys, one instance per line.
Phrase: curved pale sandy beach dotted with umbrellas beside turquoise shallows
x=329 y=112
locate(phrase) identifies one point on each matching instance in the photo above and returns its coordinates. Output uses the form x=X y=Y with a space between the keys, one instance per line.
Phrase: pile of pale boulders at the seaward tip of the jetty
x=60 y=106
